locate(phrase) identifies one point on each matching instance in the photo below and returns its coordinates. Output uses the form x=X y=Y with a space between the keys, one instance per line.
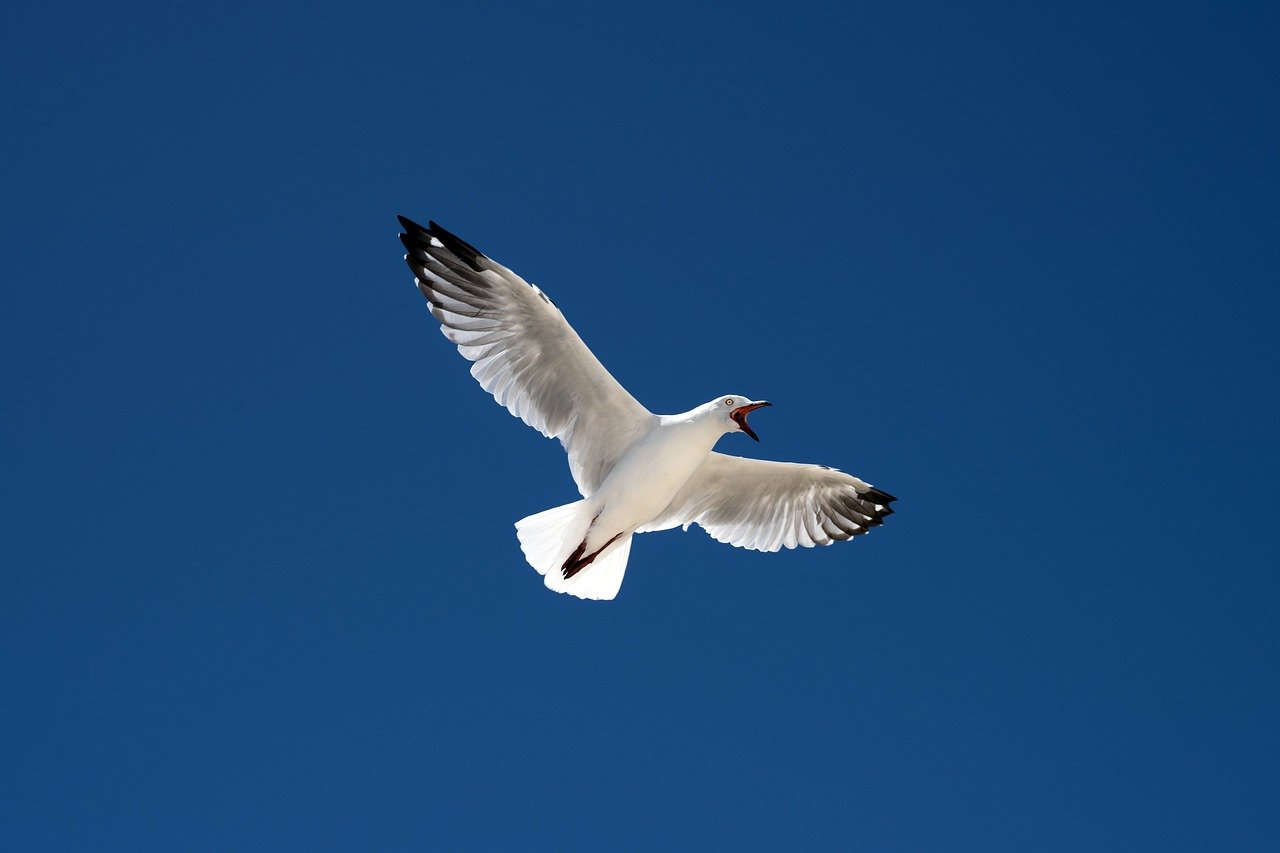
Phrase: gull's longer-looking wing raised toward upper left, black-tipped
x=525 y=354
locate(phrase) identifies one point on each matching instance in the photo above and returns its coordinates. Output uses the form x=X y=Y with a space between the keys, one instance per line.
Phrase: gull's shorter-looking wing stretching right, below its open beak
x=765 y=507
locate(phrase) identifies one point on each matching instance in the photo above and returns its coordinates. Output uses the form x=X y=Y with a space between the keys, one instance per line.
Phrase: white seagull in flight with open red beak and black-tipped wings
x=637 y=472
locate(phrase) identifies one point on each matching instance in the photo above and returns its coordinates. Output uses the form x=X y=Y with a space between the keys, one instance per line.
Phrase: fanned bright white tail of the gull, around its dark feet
x=550 y=537
